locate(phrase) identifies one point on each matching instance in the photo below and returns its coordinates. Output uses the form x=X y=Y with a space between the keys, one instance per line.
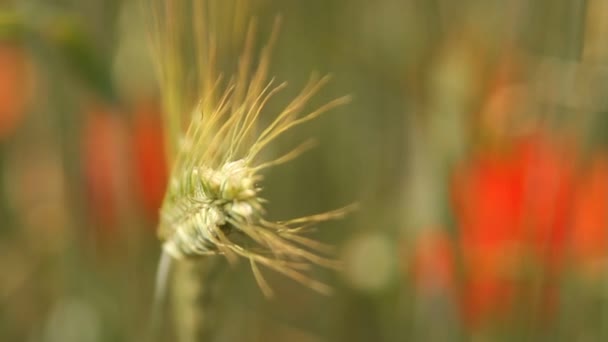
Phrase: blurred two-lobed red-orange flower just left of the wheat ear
x=119 y=163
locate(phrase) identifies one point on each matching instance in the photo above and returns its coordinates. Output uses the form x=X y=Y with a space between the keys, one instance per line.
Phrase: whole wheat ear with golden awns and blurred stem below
x=213 y=205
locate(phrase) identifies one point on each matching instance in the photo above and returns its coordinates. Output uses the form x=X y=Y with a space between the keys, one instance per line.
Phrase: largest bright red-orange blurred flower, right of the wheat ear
x=512 y=210
